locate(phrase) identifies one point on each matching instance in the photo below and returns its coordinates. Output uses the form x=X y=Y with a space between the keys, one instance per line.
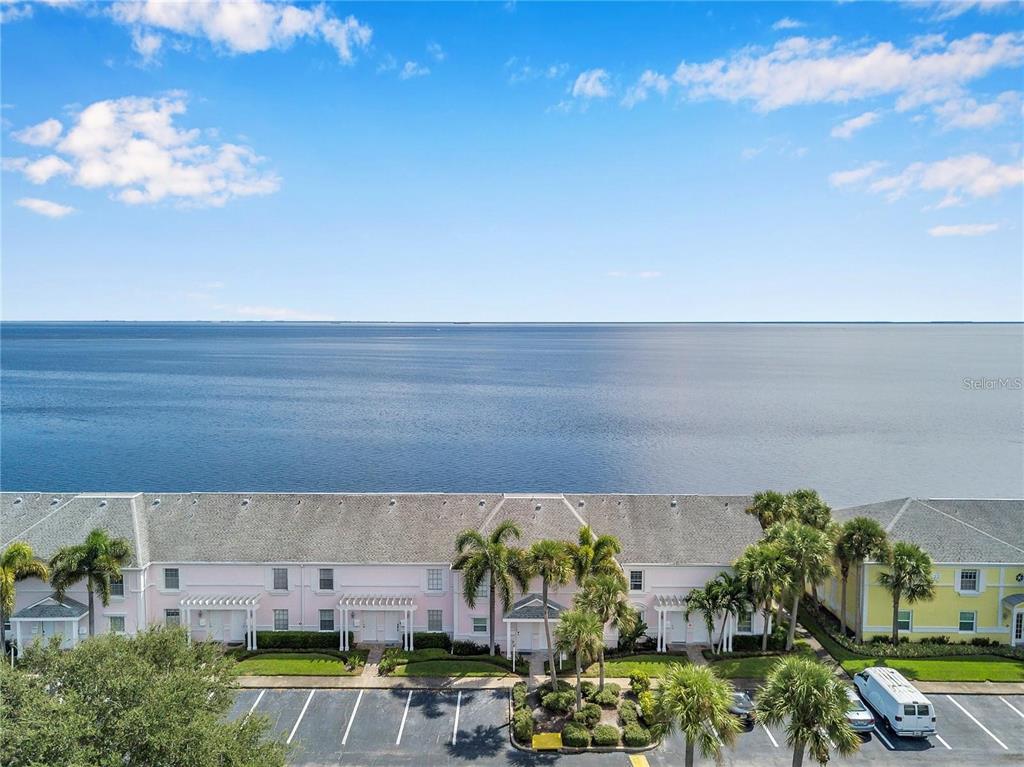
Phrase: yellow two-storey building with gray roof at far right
x=978 y=550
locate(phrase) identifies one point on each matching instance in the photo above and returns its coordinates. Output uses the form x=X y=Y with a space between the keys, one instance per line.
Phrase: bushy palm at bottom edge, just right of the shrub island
x=696 y=702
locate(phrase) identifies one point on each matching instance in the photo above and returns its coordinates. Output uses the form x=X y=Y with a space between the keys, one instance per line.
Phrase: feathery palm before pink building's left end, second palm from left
x=98 y=561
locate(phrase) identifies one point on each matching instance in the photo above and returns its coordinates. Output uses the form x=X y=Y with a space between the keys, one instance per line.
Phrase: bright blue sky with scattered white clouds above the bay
x=513 y=162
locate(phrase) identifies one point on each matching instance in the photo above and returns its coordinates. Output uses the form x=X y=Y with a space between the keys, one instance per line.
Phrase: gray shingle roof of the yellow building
x=953 y=530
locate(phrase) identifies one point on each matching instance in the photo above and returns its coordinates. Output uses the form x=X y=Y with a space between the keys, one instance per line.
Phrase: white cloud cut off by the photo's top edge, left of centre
x=246 y=26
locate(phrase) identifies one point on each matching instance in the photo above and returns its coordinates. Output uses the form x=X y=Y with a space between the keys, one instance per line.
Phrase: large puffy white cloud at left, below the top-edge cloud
x=133 y=147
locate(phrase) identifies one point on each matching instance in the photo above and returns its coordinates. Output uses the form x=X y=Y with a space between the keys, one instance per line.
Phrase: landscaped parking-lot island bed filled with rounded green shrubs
x=608 y=720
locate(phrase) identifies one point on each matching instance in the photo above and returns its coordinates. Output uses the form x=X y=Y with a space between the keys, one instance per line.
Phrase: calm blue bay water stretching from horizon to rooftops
x=861 y=412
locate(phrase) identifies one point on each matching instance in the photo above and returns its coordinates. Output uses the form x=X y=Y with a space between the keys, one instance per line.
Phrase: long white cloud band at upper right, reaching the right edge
x=800 y=71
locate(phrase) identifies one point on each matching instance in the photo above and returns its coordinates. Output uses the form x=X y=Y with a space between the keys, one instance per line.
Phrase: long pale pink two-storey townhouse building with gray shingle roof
x=374 y=567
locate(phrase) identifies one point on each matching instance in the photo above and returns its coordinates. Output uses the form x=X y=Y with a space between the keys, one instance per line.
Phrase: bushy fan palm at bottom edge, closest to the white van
x=812 y=702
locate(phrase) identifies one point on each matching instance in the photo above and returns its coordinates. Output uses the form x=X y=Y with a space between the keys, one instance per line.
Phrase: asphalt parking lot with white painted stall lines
x=423 y=728
